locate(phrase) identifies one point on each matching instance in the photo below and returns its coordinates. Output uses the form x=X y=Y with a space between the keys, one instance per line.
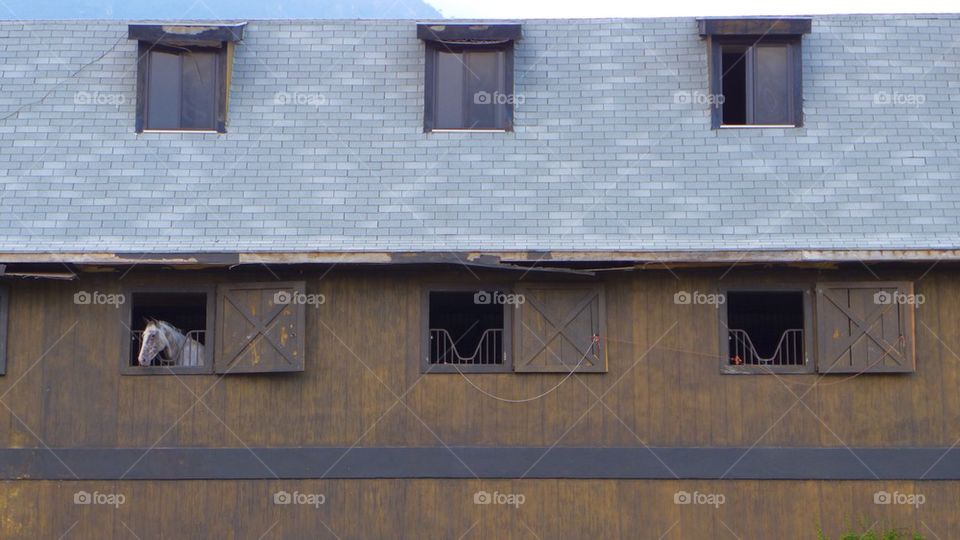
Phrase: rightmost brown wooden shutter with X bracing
x=865 y=327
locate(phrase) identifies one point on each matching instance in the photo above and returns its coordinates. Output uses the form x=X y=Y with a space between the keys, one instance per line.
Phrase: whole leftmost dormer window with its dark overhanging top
x=183 y=76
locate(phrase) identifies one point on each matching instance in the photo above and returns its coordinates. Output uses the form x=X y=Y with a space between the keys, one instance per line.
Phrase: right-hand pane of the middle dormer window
x=485 y=92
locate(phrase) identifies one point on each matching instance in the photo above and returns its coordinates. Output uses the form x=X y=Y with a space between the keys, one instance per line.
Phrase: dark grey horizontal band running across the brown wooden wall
x=470 y=462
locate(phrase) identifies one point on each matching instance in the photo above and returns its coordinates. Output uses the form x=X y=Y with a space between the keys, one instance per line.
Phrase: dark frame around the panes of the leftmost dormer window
x=143 y=69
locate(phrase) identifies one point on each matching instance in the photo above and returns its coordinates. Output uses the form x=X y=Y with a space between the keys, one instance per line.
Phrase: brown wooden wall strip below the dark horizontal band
x=389 y=509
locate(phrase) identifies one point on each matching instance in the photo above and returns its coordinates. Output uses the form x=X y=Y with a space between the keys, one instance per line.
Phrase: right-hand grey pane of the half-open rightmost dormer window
x=771 y=85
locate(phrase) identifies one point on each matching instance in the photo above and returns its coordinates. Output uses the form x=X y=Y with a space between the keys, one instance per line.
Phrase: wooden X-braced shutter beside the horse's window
x=260 y=327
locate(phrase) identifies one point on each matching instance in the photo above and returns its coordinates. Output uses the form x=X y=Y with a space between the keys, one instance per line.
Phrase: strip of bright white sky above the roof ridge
x=522 y=9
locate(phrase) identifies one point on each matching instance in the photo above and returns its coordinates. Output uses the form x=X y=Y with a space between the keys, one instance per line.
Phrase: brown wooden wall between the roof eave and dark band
x=363 y=383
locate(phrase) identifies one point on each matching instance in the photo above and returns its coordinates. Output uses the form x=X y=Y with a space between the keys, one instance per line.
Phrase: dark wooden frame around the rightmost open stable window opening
x=809 y=332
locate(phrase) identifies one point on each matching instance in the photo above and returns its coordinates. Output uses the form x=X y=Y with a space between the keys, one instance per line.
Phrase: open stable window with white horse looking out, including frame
x=170 y=331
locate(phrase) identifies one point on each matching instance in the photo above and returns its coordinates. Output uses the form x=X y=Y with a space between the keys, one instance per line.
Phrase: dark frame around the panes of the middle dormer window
x=430 y=95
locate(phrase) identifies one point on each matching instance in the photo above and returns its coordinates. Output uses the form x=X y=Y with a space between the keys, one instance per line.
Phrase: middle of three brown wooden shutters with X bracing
x=559 y=328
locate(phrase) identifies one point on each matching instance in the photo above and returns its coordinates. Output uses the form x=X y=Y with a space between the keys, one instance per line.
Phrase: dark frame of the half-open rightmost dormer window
x=715 y=45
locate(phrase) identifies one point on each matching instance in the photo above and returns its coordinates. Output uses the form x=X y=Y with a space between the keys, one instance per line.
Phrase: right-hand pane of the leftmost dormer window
x=199 y=90
